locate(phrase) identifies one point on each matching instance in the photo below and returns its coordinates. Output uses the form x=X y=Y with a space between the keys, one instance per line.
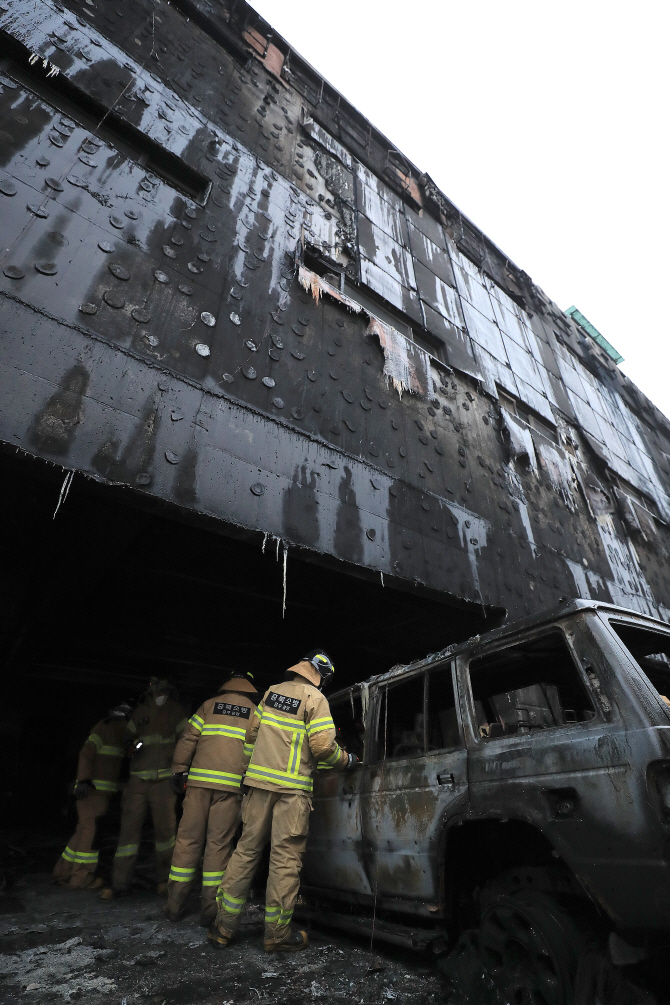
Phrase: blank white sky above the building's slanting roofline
x=547 y=124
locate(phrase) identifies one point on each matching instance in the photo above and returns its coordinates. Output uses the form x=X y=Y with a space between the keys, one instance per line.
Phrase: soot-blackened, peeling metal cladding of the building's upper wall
x=224 y=288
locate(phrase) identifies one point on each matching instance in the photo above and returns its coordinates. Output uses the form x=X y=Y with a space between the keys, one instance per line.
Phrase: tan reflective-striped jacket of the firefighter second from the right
x=213 y=743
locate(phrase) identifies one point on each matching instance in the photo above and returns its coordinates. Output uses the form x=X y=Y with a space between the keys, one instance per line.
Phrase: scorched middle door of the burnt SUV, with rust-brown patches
x=415 y=784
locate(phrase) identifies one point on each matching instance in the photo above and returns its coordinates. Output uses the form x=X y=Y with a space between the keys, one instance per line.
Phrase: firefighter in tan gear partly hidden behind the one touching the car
x=214 y=756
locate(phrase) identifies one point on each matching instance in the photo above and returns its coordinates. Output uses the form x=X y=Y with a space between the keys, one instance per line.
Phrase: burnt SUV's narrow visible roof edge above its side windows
x=515 y=628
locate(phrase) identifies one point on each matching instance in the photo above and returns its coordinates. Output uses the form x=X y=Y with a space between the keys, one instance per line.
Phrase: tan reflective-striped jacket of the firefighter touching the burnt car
x=292 y=730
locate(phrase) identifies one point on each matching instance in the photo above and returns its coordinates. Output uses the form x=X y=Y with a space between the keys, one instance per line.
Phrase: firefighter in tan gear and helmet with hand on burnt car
x=290 y=733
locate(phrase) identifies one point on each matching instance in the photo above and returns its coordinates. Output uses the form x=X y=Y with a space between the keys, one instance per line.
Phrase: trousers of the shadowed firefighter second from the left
x=139 y=796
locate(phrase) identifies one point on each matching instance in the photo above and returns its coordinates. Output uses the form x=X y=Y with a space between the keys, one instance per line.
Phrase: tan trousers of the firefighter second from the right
x=210 y=819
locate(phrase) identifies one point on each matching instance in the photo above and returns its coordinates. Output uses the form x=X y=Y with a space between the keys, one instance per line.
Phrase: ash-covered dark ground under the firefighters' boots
x=61 y=946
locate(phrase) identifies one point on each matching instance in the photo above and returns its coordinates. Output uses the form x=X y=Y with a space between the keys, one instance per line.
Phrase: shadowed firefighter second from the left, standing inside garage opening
x=152 y=734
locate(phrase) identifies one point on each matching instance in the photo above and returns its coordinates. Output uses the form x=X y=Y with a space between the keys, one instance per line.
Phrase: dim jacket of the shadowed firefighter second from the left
x=159 y=729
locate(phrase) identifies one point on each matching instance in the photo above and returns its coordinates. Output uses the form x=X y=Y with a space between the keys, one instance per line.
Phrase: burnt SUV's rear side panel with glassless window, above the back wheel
x=548 y=746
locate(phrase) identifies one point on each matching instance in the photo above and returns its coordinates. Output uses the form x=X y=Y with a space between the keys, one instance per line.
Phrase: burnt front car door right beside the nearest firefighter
x=334 y=857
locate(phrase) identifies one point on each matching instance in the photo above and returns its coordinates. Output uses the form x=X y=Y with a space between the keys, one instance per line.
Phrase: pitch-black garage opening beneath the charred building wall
x=112 y=591
